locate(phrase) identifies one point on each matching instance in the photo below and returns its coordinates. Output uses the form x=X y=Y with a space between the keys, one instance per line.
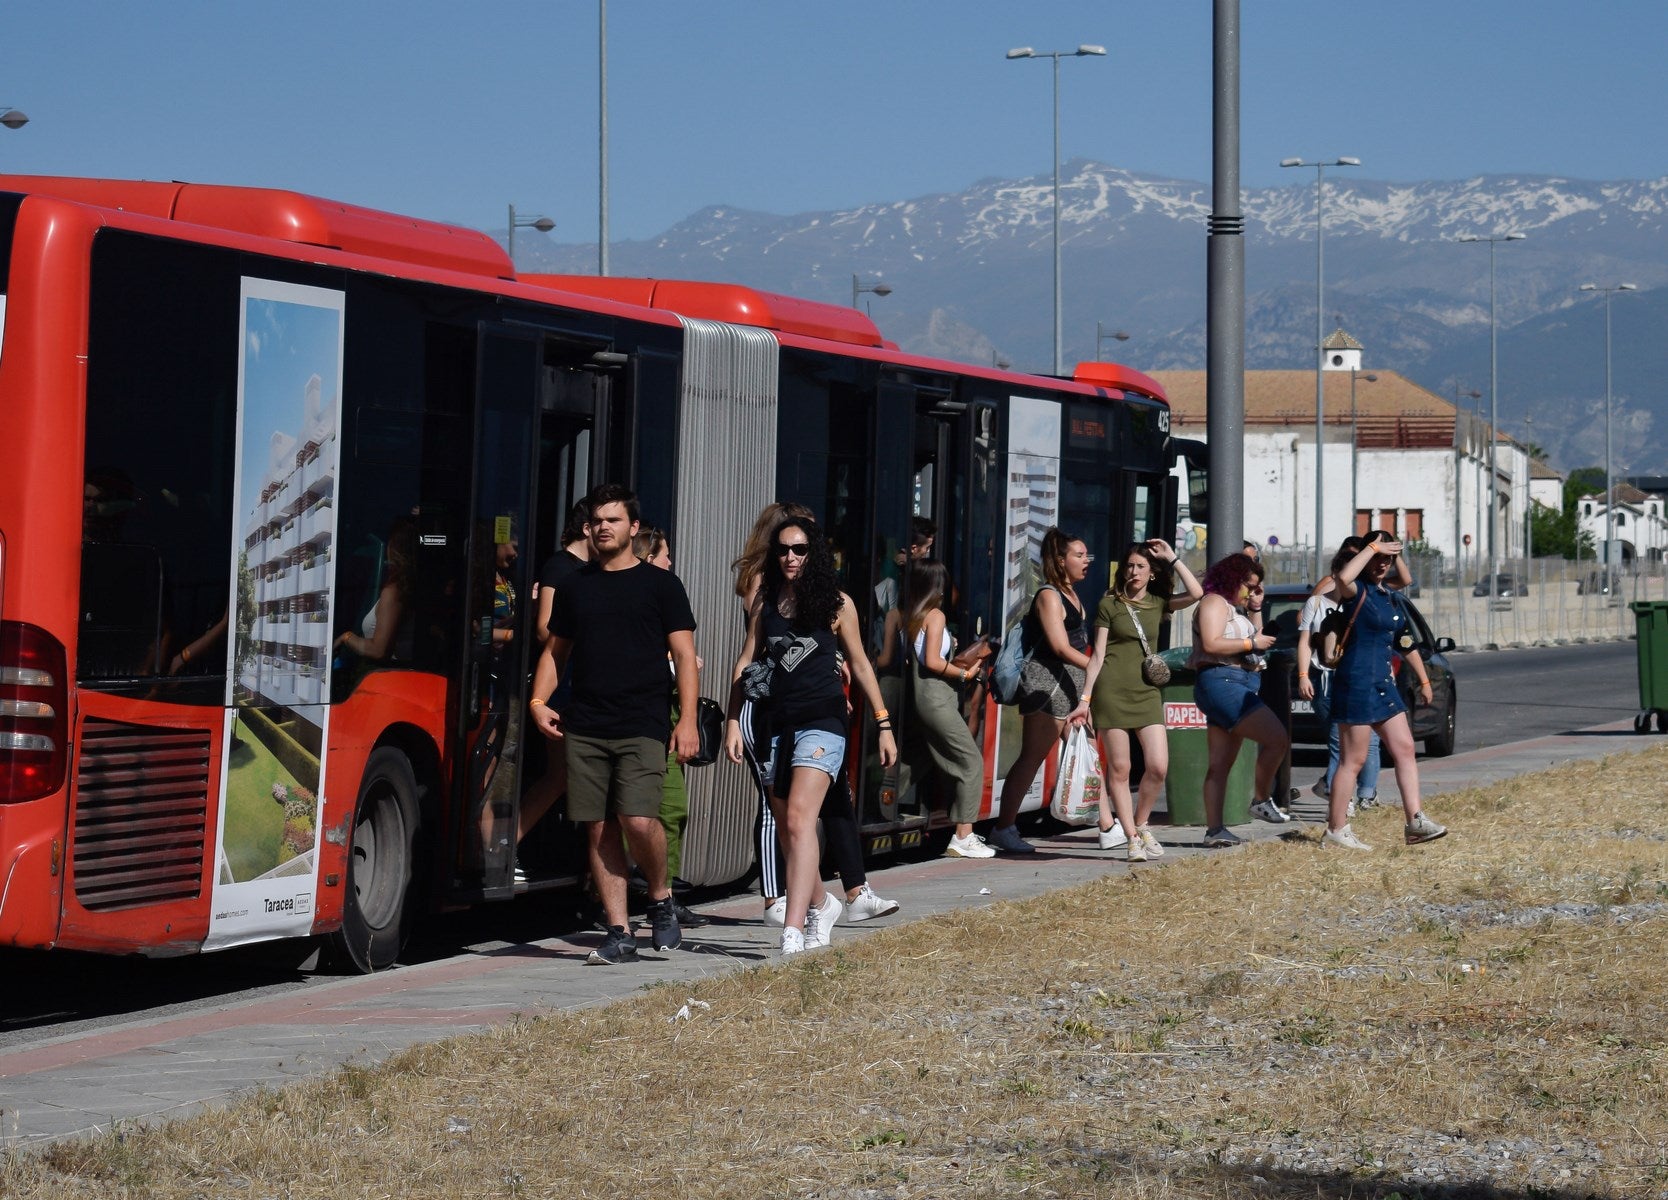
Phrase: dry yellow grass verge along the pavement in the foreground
x=1477 y=1017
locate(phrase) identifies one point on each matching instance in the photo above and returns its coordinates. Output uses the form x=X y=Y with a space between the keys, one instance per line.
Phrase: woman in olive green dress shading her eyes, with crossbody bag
x=1118 y=702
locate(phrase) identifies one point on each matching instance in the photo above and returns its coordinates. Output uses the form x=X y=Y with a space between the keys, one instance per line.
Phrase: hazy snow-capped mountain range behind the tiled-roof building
x=972 y=278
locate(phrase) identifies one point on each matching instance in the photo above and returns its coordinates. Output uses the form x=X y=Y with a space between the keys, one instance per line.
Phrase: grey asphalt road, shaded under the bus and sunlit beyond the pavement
x=1504 y=697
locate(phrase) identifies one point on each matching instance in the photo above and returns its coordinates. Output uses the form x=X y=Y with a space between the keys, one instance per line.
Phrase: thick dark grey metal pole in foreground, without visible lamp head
x=1225 y=335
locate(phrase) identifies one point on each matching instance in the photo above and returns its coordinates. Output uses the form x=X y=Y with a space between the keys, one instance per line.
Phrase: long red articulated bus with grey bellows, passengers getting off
x=251 y=433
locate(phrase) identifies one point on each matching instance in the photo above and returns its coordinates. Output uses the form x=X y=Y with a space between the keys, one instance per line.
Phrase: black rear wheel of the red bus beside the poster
x=381 y=867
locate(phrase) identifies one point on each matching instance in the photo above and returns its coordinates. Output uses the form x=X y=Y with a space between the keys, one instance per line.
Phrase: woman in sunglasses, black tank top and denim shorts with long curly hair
x=800 y=620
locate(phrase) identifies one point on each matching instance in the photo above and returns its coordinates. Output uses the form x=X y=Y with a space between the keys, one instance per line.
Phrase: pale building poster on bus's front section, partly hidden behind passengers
x=1033 y=508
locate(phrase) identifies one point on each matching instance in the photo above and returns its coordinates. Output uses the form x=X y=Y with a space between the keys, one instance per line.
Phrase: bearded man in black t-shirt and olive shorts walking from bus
x=613 y=627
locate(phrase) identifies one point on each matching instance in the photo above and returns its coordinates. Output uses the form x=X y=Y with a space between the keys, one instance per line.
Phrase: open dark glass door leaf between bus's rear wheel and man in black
x=495 y=670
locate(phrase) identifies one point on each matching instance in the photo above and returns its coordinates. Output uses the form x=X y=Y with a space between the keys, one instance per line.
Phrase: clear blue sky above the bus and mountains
x=453 y=111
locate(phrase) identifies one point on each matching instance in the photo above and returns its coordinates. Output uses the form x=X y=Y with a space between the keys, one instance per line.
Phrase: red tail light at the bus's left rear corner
x=34 y=713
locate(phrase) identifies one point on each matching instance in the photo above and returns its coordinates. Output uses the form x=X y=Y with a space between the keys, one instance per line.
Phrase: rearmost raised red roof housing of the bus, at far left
x=284 y=216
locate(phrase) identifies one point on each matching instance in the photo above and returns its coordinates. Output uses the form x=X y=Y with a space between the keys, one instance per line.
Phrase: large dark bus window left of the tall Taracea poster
x=158 y=475
